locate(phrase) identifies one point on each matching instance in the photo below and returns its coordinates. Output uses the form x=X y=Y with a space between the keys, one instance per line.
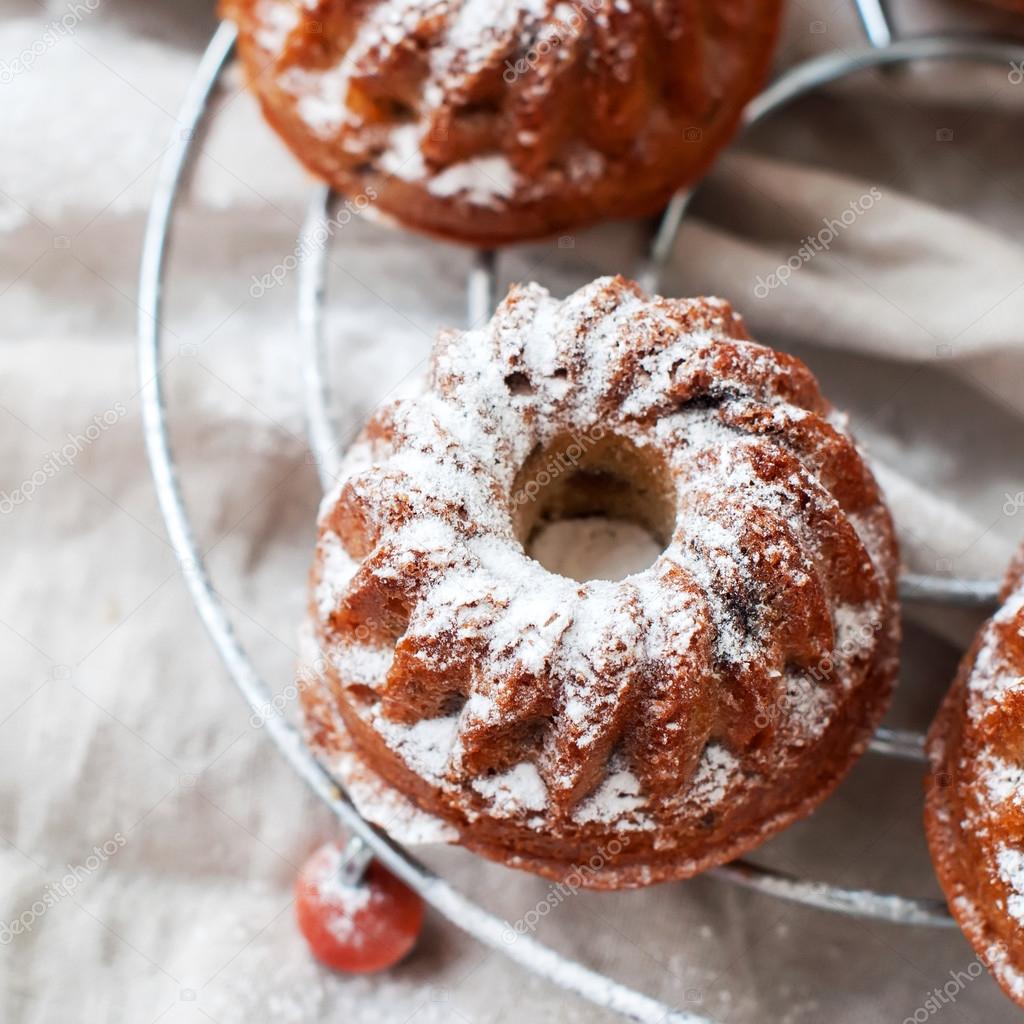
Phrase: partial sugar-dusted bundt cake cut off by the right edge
x=975 y=795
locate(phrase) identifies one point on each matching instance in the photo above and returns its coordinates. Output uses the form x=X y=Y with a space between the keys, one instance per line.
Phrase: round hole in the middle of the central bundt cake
x=594 y=506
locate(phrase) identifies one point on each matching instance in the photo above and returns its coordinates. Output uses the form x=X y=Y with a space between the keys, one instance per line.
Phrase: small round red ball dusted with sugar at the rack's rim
x=361 y=928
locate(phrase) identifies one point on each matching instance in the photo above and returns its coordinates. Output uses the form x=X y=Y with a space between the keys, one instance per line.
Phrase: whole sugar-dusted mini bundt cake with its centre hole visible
x=650 y=728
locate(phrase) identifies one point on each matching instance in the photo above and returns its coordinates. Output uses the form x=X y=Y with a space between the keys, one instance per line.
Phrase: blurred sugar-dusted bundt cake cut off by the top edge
x=490 y=121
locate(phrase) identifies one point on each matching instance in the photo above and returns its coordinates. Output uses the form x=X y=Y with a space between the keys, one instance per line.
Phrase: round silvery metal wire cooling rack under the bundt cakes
x=883 y=51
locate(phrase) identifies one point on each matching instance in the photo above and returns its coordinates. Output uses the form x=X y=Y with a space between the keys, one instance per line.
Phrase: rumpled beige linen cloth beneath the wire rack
x=149 y=833
